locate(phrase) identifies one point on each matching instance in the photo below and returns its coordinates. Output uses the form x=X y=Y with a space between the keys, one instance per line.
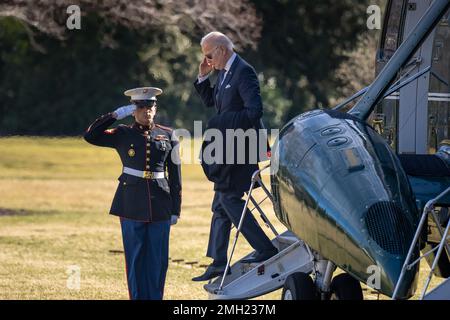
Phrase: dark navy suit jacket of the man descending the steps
x=239 y=106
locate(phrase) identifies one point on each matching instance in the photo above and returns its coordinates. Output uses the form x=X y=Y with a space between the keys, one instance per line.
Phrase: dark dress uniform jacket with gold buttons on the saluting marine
x=145 y=149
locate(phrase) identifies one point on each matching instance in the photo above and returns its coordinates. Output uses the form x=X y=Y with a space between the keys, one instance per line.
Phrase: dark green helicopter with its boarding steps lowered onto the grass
x=365 y=186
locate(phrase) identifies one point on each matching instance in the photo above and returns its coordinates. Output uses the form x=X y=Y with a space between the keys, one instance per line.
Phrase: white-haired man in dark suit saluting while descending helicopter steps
x=236 y=97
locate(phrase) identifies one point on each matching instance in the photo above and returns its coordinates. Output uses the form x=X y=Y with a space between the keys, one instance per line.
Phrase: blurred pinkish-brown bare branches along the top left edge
x=236 y=18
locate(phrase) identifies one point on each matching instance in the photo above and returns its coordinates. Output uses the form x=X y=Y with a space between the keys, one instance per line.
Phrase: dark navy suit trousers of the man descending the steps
x=227 y=209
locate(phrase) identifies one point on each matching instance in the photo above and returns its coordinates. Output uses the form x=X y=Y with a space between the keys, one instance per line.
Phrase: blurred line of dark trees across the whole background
x=55 y=81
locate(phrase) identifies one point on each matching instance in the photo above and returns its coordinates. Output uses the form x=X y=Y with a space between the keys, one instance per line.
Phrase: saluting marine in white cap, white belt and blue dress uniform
x=148 y=197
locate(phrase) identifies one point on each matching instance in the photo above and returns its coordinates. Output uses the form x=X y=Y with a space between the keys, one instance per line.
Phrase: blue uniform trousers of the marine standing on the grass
x=146 y=247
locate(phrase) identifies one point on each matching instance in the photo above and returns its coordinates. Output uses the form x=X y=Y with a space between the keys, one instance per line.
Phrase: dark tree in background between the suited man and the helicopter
x=303 y=43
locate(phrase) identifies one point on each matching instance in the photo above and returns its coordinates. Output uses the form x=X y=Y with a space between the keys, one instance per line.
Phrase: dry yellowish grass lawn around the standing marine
x=62 y=190
